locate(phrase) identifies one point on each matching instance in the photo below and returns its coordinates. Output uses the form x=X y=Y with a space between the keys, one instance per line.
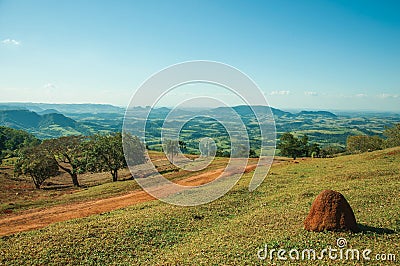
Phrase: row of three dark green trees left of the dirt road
x=79 y=154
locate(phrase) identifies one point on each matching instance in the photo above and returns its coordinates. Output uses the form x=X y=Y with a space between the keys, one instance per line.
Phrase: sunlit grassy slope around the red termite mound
x=231 y=230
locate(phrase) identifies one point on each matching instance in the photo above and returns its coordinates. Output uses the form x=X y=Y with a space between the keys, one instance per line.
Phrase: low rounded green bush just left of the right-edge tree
x=357 y=144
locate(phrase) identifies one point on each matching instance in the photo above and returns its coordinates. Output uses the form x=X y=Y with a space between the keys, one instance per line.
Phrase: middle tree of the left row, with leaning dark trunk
x=69 y=154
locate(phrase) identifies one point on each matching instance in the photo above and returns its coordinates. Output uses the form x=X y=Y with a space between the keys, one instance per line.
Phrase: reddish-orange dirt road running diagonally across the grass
x=38 y=218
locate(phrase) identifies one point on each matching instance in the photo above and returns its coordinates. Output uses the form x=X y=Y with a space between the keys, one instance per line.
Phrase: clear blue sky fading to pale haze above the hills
x=302 y=54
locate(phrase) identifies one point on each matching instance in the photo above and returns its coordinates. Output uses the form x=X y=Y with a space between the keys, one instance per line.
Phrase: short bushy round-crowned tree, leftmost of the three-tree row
x=36 y=163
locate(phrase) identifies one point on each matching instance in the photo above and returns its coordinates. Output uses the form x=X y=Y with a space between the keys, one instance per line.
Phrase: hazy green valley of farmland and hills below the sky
x=322 y=127
